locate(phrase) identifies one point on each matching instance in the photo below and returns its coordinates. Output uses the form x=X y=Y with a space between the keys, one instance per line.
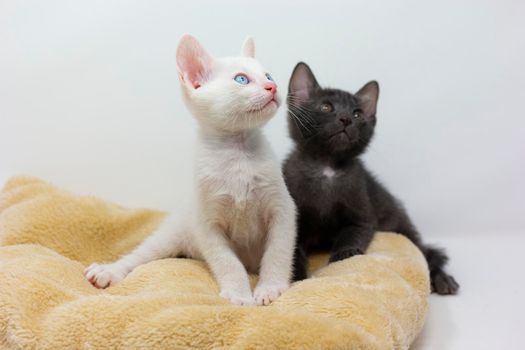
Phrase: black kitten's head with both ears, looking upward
x=330 y=122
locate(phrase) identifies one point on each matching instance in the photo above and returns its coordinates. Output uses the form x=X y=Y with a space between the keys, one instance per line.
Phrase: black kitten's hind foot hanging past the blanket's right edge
x=441 y=282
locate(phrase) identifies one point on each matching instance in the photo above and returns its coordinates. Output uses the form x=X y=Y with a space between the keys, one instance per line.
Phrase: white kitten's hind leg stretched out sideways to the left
x=164 y=242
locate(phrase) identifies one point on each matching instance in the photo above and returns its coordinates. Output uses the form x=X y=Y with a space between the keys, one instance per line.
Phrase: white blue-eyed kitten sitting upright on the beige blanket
x=243 y=217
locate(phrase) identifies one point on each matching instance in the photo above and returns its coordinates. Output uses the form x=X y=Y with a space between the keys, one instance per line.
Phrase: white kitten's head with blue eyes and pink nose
x=228 y=93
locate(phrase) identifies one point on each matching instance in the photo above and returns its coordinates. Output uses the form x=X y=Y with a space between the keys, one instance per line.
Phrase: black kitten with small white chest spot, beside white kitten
x=340 y=203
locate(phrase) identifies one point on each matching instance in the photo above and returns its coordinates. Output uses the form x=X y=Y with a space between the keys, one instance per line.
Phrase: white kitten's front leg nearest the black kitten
x=276 y=265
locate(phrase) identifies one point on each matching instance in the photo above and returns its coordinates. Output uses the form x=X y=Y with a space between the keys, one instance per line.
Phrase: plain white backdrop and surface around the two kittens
x=89 y=100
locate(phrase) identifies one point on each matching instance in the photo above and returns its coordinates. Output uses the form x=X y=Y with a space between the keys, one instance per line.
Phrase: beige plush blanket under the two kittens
x=48 y=236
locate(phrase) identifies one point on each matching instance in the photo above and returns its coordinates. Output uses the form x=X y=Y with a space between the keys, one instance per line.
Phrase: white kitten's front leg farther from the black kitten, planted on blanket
x=228 y=270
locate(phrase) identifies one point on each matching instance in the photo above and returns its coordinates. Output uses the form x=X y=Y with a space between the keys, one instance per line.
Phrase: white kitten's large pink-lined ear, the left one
x=193 y=61
